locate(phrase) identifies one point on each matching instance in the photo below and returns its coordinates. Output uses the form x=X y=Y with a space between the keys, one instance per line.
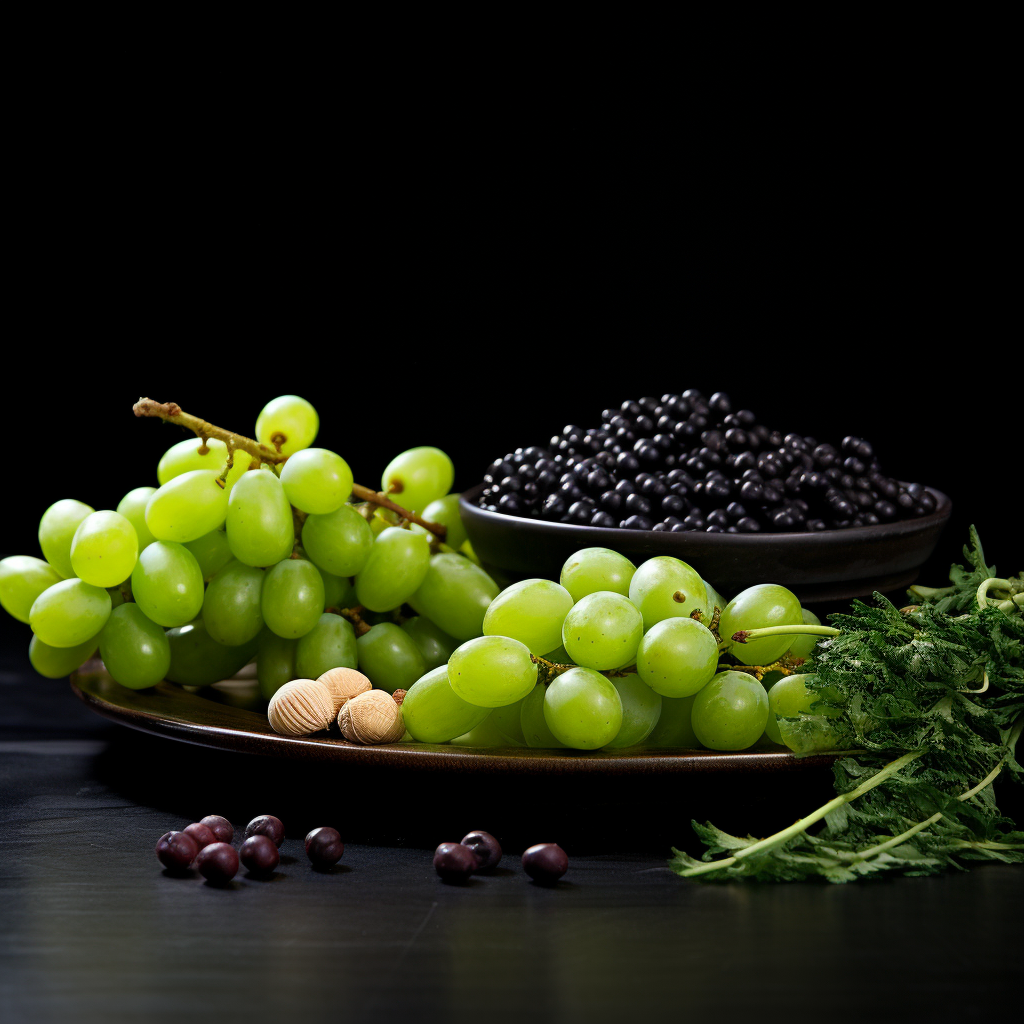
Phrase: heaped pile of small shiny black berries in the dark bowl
x=685 y=462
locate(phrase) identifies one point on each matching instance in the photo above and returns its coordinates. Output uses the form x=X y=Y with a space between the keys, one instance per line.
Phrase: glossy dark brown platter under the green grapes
x=212 y=718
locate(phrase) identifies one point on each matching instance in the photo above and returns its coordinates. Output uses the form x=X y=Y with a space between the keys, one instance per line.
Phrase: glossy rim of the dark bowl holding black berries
x=903 y=528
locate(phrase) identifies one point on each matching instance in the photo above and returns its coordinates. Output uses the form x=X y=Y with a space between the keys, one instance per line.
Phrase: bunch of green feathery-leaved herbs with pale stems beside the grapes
x=932 y=698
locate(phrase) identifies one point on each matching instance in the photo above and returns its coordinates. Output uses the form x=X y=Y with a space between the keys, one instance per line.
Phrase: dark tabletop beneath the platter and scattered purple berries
x=93 y=929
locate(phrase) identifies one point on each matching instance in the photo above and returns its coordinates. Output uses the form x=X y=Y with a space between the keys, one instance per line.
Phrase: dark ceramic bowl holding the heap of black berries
x=832 y=566
